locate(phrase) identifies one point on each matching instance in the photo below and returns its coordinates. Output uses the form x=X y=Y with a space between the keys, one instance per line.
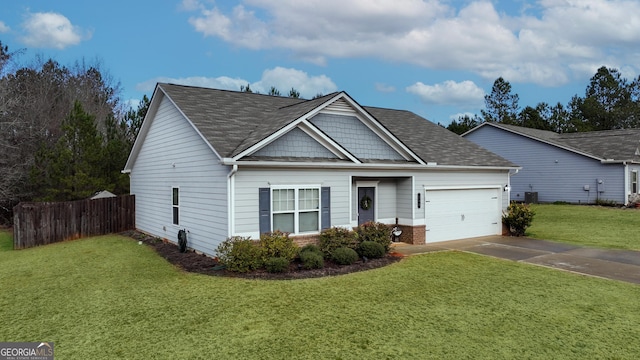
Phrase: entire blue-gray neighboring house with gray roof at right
x=579 y=168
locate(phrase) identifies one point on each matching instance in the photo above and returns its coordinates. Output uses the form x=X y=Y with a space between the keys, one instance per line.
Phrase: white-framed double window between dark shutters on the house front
x=295 y=209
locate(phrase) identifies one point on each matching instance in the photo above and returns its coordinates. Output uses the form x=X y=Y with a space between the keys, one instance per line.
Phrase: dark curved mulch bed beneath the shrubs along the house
x=198 y=263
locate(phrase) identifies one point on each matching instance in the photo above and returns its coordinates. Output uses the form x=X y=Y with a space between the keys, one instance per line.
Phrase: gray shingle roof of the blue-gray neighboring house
x=619 y=145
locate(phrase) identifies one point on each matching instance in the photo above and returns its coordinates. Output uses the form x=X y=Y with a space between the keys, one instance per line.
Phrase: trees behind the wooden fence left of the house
x=64 y=131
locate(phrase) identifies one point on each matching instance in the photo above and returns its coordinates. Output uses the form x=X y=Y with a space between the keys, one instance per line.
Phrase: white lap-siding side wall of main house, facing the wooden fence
x=174 y=155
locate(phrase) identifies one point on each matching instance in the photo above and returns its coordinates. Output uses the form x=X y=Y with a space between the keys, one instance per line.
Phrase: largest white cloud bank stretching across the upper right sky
x=542 y=43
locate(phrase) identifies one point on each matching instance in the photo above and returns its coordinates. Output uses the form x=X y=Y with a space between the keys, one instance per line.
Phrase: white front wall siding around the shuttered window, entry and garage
x=393 y=189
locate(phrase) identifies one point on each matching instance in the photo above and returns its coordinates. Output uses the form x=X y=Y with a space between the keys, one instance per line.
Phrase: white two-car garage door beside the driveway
x=462 y=213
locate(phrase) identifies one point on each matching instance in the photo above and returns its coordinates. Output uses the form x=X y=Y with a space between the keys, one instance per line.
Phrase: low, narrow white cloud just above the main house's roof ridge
x=281 y=78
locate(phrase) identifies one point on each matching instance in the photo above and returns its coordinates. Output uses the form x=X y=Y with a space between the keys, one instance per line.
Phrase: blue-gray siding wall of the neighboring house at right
x=554 y=173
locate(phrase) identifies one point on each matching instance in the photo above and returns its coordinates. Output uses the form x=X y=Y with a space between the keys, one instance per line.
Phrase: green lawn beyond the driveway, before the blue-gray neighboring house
x=595 y=226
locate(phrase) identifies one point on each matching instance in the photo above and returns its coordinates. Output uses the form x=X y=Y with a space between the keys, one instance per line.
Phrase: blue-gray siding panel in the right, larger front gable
x=355 y=136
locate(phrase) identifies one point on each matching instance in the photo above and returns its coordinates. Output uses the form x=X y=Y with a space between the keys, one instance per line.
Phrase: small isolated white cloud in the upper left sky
x=51 y=30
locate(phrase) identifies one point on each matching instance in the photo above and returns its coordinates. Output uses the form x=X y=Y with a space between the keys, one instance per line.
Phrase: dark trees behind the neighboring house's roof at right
x=610 y=102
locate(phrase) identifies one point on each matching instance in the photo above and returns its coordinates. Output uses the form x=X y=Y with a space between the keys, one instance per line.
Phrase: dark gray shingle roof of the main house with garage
x=233 y=121
